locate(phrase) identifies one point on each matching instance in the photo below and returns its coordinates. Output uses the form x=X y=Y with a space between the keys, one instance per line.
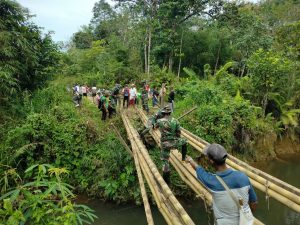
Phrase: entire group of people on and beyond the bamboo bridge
x=234 y=198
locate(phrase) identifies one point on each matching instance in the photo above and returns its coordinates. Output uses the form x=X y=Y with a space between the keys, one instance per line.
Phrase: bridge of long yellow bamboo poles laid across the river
x=167 y=204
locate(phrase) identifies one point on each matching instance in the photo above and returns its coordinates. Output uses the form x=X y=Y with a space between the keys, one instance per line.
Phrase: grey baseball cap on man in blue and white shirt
x=215 y=152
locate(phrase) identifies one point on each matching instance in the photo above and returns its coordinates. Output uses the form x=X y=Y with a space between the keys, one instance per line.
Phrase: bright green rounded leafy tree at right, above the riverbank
x=271 y=75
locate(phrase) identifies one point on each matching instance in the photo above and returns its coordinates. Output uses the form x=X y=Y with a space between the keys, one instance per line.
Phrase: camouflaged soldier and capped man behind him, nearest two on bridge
x=234 y=198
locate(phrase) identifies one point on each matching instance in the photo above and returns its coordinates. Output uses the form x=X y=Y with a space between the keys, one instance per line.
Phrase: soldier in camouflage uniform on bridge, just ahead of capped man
x=170 y=138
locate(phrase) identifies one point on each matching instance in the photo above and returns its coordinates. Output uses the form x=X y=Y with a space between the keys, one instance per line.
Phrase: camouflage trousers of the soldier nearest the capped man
x=166 y=147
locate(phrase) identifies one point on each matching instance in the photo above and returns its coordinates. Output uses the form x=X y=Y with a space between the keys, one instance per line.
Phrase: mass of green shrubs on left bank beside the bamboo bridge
x=54 y=131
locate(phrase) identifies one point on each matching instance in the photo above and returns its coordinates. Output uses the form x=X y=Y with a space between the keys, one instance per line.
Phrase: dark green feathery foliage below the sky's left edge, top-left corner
x=27 y=56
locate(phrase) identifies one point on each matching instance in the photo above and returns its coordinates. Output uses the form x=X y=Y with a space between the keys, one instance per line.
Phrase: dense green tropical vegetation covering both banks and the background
x=238 y=62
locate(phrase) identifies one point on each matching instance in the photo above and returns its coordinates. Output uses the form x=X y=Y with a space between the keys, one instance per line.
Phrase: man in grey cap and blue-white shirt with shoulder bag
x=231 y=190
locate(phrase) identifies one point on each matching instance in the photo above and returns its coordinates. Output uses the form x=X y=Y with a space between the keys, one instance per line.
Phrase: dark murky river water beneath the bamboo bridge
x=285 y=168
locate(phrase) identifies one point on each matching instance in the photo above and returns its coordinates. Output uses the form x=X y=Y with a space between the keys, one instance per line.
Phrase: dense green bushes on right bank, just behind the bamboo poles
x=222 y=117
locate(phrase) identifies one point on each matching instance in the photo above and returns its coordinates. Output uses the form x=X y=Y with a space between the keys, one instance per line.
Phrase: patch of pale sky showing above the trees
x=64 y=17
